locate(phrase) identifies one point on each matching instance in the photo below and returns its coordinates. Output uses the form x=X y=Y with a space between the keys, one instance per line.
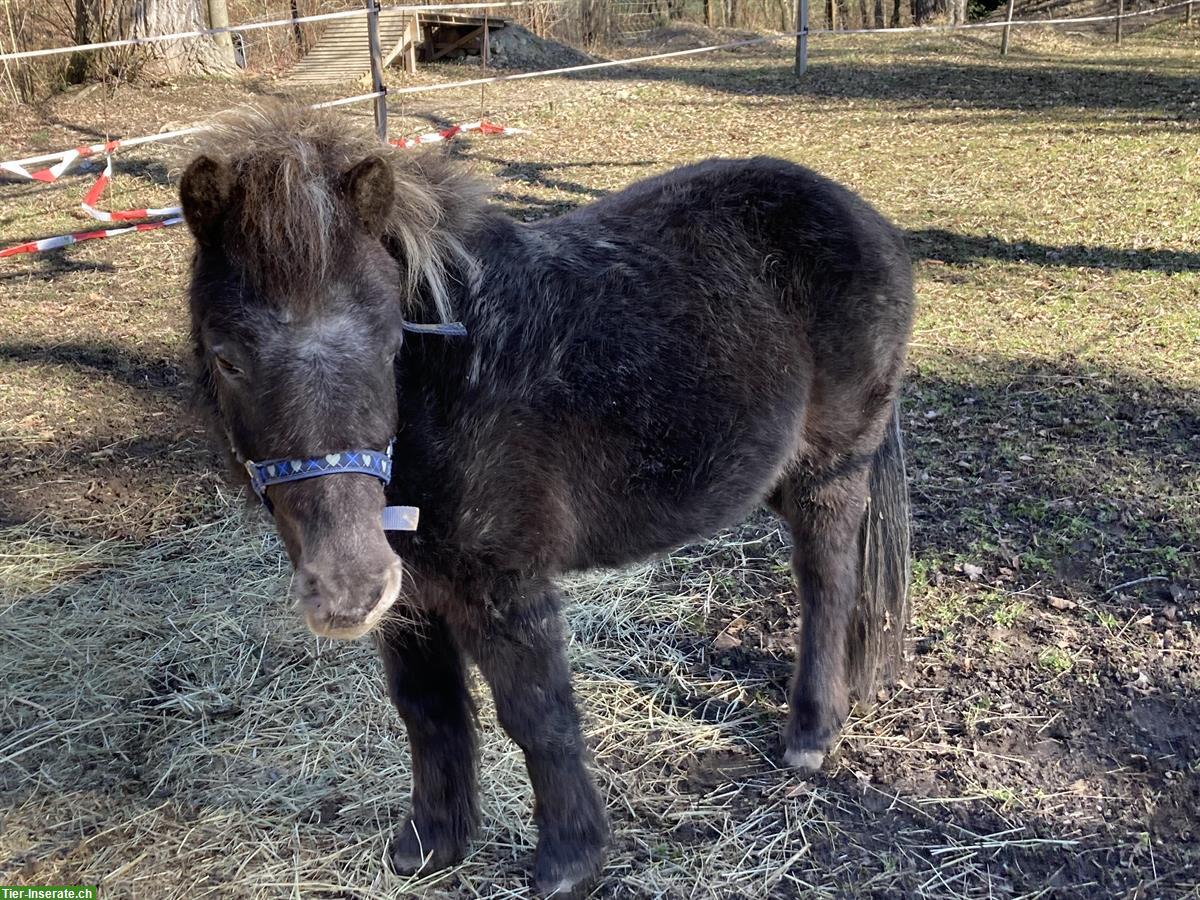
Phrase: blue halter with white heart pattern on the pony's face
x=376 y=464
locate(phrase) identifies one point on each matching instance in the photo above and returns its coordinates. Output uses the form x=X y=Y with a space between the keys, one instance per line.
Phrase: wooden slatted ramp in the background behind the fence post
x=344 y=55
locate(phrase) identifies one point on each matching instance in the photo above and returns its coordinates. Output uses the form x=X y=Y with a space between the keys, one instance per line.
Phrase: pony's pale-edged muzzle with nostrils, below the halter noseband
x=346 y=604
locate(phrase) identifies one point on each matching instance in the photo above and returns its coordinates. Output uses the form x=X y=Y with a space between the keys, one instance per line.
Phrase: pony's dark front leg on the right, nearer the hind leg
x=523 y=655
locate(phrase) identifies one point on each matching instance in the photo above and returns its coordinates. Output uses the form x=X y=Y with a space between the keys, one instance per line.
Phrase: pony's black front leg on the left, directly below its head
x=428 y=685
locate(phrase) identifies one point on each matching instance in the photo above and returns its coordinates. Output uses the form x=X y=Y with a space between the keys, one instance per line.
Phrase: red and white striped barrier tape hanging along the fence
x=94 y=194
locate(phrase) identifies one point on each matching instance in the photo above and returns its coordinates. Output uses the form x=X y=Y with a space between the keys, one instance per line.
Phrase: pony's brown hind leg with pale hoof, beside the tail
x=825 y=511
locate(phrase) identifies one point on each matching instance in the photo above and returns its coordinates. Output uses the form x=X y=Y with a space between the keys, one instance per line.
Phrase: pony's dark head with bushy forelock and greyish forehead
x=313 y=244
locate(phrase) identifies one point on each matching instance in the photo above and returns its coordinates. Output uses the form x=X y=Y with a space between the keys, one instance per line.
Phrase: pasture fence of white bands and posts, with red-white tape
x=63 y=160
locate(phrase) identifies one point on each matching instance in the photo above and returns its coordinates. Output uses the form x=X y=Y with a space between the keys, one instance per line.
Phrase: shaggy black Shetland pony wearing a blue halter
x=635 y=375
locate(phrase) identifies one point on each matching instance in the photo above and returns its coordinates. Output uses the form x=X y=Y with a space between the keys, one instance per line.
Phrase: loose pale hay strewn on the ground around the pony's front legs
x=173 y=730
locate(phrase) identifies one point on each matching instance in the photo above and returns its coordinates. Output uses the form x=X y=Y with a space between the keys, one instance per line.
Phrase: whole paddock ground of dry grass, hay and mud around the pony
x=169 y=728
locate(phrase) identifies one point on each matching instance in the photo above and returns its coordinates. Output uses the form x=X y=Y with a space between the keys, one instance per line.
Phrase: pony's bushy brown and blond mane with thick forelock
x=289 y=214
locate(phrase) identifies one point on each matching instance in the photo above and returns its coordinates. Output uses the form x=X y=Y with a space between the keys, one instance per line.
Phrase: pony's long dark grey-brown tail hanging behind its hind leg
x=875 y=644
